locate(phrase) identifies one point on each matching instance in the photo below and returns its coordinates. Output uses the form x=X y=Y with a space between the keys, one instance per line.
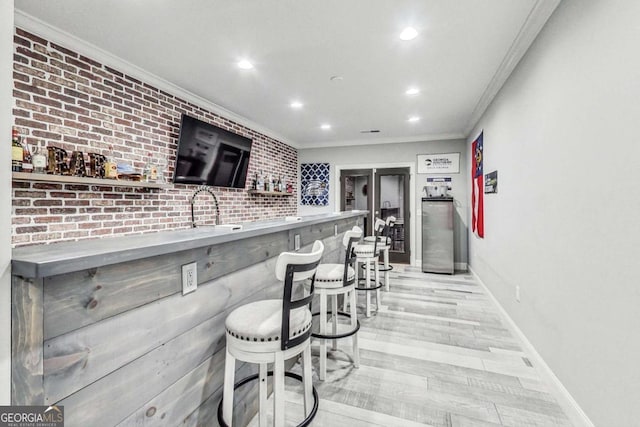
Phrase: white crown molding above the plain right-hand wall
x=536 y=20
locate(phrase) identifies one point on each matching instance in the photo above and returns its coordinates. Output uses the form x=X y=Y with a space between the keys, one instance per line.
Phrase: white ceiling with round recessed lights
x=463 y=53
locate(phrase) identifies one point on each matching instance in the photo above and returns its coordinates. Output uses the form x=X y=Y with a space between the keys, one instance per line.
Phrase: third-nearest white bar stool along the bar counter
x=367 y=254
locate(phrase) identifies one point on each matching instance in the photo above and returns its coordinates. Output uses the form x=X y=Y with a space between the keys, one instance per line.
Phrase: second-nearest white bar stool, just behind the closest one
x=333 y=280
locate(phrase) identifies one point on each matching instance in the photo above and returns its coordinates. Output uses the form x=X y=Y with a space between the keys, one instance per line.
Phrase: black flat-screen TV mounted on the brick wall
x=211 y=155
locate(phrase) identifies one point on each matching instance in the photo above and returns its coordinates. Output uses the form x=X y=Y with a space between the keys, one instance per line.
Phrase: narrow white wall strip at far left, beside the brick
x=6 y=102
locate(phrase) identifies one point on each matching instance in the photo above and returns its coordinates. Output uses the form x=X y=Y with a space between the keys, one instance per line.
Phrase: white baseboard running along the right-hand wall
x=575 y=413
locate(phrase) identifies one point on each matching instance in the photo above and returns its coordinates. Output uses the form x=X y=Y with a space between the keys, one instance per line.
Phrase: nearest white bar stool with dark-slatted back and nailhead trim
x=272 y=331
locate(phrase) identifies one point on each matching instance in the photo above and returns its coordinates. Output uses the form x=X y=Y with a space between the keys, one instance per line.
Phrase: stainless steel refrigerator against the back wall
x=437 y=235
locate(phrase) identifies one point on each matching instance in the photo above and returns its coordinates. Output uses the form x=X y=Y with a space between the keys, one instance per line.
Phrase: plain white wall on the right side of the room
x=563 y=135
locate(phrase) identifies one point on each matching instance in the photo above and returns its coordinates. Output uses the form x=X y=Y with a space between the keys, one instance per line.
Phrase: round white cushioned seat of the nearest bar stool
x=262 y=321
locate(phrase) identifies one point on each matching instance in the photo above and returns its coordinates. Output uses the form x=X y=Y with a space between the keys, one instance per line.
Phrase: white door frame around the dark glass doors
x=414 y=208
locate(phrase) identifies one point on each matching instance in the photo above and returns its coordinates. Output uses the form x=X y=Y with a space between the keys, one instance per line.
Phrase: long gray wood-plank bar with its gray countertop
x=102 y=327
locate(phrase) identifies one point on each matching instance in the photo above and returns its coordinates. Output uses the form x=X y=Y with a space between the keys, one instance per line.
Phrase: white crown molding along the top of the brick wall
x=42 y=29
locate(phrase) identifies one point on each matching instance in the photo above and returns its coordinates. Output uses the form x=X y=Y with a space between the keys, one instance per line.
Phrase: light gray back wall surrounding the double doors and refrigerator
x=391 y=155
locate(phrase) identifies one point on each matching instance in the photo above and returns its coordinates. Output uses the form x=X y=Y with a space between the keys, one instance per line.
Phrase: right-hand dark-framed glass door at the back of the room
x=392 y=199
